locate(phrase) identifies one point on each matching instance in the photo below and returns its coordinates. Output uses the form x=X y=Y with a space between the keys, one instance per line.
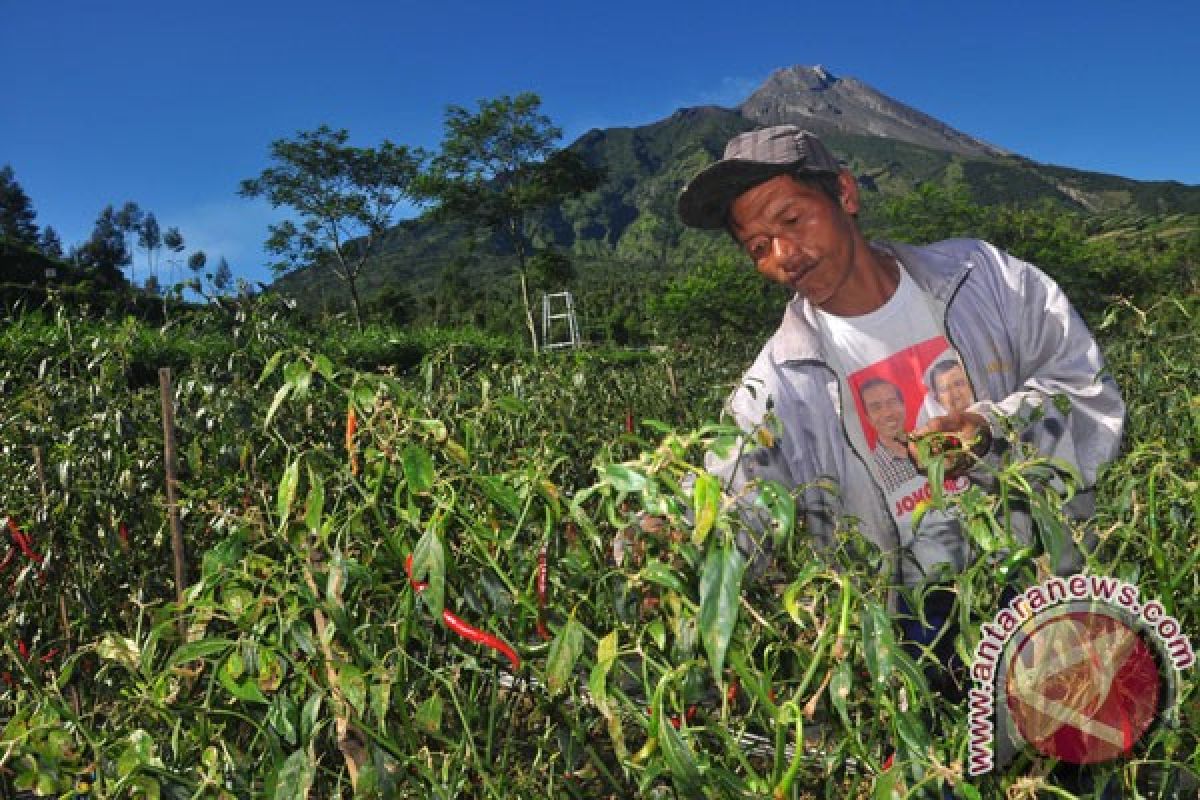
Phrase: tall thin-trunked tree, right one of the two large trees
x=499 y=169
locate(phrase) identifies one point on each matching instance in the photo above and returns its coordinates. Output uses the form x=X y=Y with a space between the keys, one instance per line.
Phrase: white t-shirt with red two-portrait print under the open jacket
x=887 y=359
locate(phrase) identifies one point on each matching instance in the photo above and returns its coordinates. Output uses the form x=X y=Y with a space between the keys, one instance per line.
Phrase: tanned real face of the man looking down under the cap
x=797 y=236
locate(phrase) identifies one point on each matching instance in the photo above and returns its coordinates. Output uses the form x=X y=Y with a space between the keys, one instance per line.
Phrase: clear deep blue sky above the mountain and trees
x=171 y=105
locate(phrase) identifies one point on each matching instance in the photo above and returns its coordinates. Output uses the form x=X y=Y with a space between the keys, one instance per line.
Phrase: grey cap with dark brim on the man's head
x=752 y=159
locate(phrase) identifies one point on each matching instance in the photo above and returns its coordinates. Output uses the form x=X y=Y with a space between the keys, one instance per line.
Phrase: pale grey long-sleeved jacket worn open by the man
x=1022 y=344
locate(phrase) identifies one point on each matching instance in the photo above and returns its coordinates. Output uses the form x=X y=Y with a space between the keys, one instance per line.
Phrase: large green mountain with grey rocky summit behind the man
x=891 y=147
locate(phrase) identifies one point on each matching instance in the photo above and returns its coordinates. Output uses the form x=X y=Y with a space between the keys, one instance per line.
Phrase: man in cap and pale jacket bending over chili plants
x=866 y=309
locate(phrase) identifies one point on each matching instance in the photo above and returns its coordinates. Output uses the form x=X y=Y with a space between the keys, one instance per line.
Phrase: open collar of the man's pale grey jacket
x=935 y=269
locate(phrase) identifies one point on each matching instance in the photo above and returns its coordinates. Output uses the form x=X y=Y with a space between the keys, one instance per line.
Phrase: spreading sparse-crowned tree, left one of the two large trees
x=345 y=197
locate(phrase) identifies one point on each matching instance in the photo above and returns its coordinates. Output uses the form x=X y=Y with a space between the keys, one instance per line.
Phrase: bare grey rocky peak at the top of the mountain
x=815 y=99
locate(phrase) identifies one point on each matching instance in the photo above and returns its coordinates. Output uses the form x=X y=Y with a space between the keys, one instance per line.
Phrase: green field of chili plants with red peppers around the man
x=433 y=580
